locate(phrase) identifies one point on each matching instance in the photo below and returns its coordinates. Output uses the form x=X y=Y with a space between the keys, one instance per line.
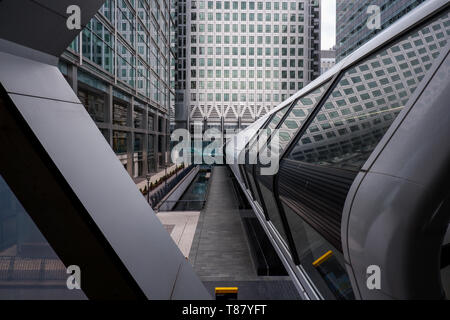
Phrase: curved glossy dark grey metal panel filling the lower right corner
x=392 y=226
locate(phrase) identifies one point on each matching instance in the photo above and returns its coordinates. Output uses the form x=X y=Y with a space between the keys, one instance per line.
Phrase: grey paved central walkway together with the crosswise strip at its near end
x=220 y=252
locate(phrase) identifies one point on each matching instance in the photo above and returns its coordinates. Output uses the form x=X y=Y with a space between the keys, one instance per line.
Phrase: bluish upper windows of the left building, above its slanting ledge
x=150 y=75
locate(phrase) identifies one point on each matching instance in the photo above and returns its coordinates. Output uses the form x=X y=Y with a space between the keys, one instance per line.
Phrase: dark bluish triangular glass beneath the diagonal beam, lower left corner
x=29 y=268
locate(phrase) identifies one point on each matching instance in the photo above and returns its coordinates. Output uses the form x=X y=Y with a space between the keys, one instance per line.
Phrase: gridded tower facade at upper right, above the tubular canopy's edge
x=352 y=17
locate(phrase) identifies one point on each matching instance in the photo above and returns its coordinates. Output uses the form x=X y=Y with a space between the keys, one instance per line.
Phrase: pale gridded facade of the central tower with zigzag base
x=239 y=59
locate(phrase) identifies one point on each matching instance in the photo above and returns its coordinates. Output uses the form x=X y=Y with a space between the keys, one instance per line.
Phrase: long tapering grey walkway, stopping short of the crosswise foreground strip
x=220 y=250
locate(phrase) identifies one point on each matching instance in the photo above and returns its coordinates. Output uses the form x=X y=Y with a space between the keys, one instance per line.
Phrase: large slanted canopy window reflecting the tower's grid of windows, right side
x=368 y=98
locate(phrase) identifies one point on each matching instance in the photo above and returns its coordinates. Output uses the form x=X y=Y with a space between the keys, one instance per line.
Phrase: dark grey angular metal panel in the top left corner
x=41 y=24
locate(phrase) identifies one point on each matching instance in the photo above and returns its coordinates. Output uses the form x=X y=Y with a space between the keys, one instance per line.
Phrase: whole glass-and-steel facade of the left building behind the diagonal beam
x=120 y=66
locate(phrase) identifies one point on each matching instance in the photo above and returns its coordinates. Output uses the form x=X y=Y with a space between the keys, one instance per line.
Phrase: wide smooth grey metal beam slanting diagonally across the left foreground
x=97 y=178
